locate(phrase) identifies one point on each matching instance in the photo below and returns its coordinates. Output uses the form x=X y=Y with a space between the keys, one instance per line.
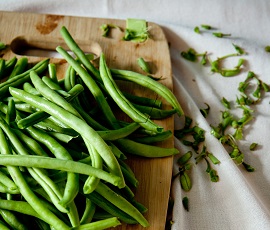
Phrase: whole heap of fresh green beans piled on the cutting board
x=62 y=164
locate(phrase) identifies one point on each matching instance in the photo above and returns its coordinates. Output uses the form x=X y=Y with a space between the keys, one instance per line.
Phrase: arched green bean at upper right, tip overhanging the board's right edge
x=145 y=81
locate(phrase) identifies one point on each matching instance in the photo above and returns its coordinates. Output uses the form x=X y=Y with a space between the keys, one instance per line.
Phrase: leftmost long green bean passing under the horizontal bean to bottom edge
x=26 y=191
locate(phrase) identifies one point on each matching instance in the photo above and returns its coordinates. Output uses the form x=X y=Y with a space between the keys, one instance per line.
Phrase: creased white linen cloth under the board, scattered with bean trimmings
x=240 y=200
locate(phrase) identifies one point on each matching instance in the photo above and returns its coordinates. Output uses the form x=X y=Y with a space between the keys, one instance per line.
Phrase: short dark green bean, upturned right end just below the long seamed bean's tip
x=111 y=135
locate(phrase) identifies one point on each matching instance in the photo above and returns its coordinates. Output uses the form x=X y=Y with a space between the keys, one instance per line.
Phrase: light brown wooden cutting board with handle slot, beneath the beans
x=39 y=34
